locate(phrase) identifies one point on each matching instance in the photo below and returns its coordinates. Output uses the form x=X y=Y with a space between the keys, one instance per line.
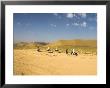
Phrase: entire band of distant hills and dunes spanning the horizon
x=63 y=43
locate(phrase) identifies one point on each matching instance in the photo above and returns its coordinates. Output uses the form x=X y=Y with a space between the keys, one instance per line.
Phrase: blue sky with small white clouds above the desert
x=49 y=27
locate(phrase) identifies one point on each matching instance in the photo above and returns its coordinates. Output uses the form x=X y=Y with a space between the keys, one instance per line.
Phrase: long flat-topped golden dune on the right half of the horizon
x=86 y=43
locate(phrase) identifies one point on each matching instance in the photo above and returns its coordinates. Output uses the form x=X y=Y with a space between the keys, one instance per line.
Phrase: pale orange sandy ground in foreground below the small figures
x=31 y=62
